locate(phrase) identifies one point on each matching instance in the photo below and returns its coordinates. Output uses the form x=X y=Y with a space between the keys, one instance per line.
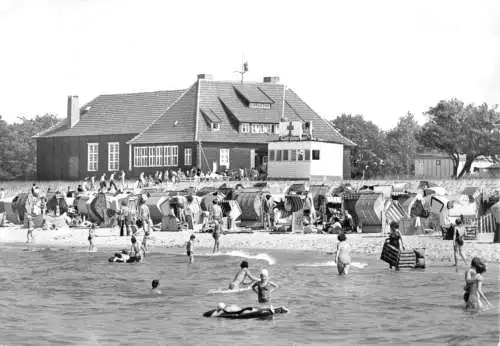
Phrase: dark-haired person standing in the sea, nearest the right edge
x=474 y=297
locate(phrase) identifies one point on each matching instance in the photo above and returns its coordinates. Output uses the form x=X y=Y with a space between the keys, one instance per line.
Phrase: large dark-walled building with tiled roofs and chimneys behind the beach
x=212 y=125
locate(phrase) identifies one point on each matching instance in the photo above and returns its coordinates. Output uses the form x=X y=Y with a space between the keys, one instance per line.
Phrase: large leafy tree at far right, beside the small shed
x=462 y=130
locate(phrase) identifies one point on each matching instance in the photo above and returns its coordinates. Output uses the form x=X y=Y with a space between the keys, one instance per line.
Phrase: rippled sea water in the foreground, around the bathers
x=70 y=297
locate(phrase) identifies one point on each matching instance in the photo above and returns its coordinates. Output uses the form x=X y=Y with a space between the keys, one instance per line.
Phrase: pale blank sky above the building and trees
x=376 y=58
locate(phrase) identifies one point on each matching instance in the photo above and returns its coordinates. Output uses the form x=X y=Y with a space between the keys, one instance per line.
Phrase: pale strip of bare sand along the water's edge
x=437 y=250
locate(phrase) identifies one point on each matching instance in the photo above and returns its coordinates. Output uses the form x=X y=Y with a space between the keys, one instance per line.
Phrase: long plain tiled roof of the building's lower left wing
x=117 y=114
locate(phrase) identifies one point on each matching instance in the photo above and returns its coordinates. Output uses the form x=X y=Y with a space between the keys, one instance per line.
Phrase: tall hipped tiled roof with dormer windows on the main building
x=220 y=100
